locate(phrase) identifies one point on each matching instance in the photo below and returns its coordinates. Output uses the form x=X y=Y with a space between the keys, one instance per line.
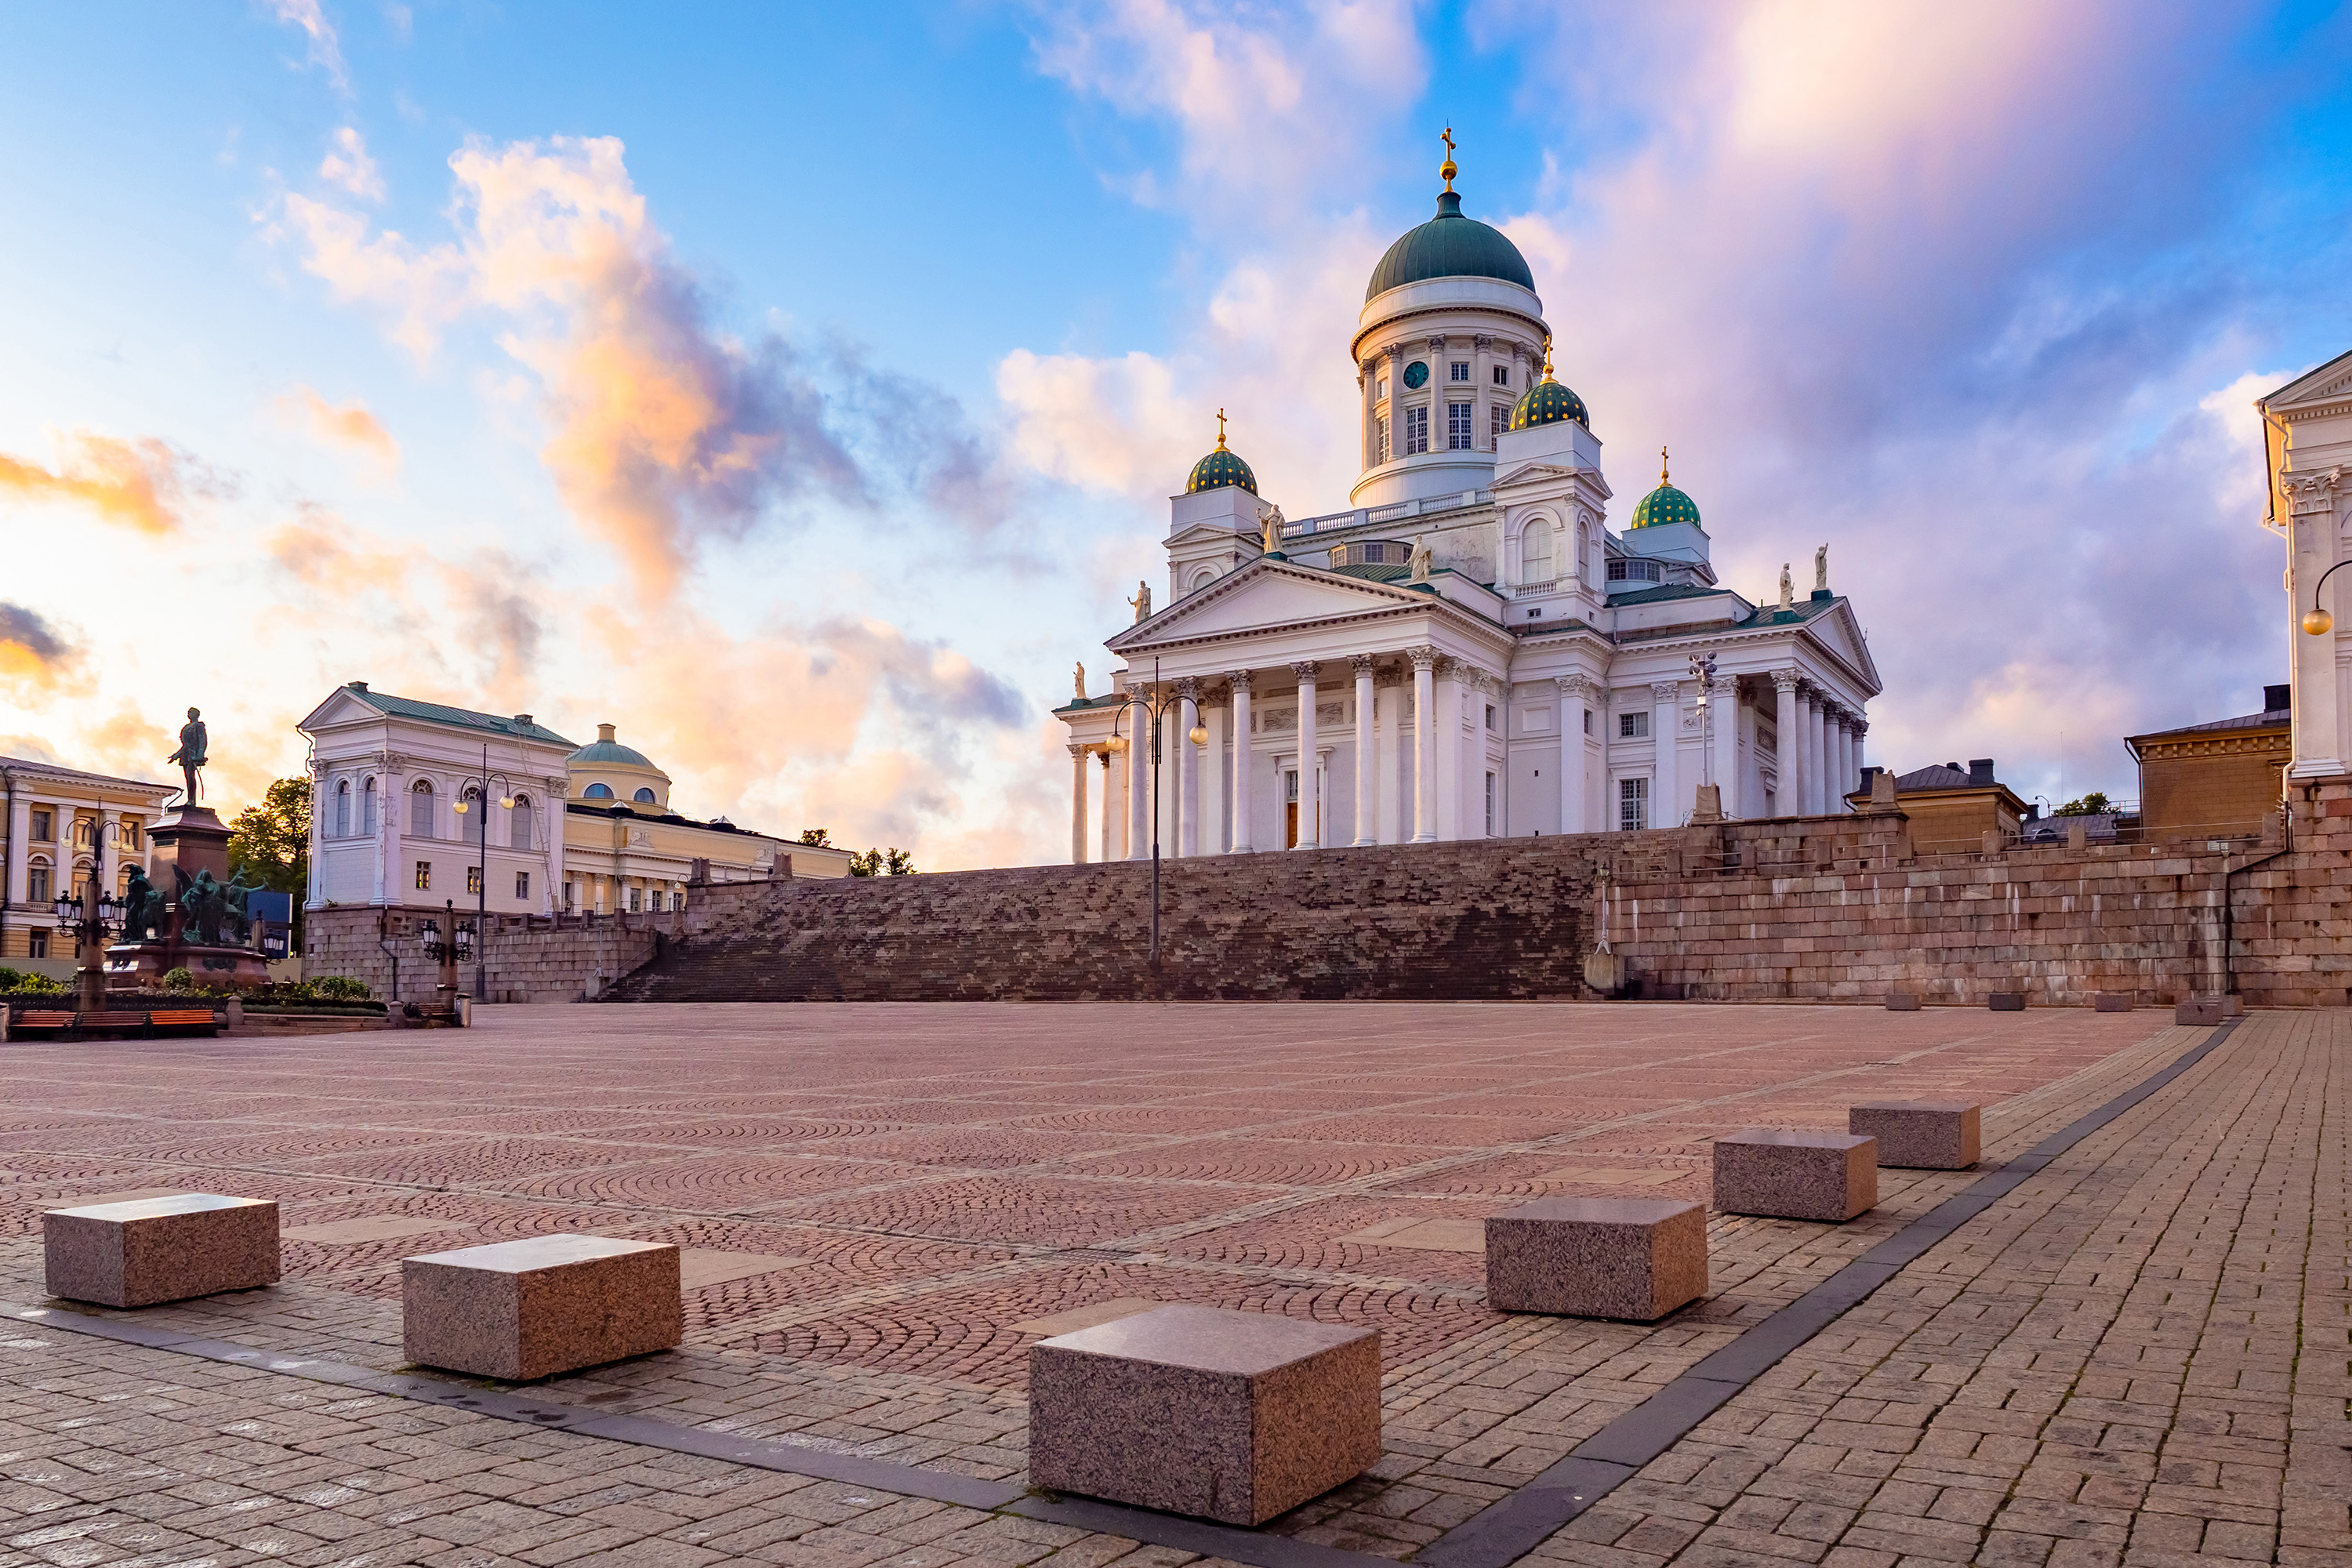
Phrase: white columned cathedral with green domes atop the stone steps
x=1469 y=650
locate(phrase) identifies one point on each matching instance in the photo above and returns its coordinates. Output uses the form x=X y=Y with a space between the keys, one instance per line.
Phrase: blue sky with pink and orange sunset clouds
x=801 y=389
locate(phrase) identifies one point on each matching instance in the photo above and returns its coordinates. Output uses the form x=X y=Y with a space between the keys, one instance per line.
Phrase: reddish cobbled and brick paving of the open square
x=2104 y=1365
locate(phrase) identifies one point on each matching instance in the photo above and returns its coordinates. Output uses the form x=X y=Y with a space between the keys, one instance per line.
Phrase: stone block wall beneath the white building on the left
x=528 y=958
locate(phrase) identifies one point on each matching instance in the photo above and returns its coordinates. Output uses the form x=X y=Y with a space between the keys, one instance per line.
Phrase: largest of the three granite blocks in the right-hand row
x=1629 y=1259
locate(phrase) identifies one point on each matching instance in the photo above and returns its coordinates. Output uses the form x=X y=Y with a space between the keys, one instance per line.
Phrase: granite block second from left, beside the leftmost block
x=542 y=1306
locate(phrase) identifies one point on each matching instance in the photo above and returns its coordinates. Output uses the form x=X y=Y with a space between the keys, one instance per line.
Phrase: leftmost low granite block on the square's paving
x=161 y=1249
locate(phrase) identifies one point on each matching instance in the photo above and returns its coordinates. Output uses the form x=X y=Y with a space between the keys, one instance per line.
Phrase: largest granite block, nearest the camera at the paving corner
x=1234 y=1416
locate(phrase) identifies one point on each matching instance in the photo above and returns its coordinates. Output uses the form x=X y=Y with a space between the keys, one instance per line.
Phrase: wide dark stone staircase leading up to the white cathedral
x=1481 y=920
